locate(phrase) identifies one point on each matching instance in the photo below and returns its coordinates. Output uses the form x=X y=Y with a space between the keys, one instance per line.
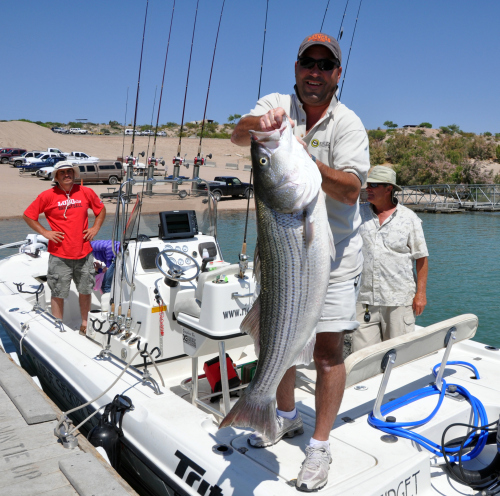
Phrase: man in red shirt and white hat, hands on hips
x=66 y=209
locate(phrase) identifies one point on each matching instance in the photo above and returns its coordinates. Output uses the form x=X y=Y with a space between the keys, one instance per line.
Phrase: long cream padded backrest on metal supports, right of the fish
x=366 y=363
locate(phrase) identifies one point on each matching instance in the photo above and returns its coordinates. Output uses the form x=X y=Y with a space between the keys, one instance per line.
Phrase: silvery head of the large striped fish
x=286 y=178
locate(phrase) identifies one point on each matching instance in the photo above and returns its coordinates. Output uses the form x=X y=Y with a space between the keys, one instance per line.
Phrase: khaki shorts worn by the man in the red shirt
x=62 y=270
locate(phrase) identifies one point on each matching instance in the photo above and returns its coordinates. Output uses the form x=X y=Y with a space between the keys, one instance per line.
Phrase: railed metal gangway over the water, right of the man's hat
x=451 y=198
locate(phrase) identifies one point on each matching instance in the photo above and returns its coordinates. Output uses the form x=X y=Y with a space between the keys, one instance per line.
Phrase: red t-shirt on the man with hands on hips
x=53 y=204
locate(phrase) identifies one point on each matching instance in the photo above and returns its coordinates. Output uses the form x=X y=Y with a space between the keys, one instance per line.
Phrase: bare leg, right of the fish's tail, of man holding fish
x=330 y=382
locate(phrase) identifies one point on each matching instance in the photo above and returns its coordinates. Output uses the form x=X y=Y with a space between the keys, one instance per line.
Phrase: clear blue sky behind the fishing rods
x=434 y=61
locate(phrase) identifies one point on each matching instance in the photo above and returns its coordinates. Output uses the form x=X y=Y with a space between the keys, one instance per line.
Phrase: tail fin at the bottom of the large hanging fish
x=258 y=415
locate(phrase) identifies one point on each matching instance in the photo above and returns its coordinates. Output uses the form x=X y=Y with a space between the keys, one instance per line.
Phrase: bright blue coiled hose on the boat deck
x=401 y=429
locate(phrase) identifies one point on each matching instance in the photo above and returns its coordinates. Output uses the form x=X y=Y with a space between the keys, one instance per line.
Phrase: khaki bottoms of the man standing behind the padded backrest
x=385 y=323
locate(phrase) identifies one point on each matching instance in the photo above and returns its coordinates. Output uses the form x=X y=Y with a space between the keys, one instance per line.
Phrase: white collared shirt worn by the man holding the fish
x=338 y=140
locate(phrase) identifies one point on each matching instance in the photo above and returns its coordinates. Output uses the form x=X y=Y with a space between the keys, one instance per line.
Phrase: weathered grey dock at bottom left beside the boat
x=32 y=460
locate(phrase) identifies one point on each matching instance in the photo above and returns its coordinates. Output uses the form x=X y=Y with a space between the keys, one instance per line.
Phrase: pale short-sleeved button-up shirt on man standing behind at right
x=389 y=251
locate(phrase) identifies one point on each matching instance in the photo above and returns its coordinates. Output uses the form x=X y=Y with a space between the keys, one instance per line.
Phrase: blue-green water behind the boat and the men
x=463 y=262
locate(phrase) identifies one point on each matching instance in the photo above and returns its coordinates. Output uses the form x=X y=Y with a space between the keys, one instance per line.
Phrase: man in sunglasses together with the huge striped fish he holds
x=318 y=298
